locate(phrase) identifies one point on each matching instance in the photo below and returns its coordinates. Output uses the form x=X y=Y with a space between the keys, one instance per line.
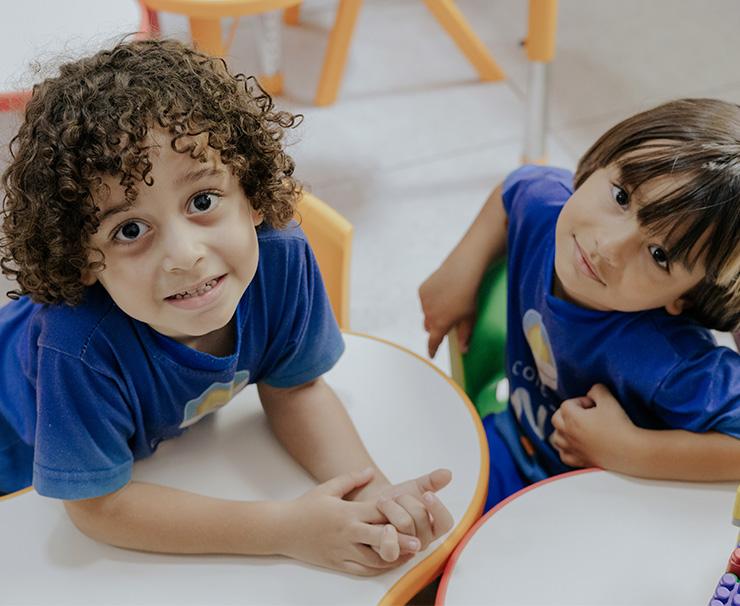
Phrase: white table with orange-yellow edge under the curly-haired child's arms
x=412 y=418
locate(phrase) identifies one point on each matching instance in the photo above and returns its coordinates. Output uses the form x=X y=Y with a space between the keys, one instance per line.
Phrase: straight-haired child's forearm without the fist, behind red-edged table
x=676 y=454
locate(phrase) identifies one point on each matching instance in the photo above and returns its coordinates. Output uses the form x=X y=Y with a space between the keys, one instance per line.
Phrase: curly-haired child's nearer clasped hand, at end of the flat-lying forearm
x=348 y=536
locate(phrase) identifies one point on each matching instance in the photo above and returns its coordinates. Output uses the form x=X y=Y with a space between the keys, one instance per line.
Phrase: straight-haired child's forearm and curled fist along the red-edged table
x=594 y=431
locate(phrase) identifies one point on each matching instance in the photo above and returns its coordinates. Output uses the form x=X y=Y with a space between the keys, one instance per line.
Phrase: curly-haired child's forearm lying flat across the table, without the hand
x=149 y=517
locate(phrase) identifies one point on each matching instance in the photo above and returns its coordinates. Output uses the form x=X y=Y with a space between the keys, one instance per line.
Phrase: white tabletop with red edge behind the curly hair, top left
x=50 y=30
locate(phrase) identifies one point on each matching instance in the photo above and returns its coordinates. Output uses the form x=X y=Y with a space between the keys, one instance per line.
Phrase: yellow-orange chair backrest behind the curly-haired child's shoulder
x=330 y=236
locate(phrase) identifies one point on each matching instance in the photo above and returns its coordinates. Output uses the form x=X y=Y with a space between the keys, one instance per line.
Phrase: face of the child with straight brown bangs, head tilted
x=604 y=259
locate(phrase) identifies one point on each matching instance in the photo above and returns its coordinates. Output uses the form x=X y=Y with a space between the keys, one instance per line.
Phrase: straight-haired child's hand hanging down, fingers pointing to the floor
x=447 y=300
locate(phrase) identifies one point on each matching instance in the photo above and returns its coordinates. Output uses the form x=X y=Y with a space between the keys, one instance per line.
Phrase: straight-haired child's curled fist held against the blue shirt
x=592 y=431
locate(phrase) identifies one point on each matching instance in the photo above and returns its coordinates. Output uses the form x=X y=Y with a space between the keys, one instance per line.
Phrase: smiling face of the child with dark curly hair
x=181 y=258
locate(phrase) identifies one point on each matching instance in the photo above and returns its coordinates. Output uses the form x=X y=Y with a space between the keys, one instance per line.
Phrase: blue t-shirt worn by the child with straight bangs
x=665 y=370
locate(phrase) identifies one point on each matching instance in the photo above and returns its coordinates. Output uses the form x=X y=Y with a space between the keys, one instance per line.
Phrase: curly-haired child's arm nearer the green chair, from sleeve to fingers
x=314 y=427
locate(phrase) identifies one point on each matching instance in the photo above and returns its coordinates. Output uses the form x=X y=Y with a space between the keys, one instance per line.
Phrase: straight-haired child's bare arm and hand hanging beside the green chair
x=449 y=295
